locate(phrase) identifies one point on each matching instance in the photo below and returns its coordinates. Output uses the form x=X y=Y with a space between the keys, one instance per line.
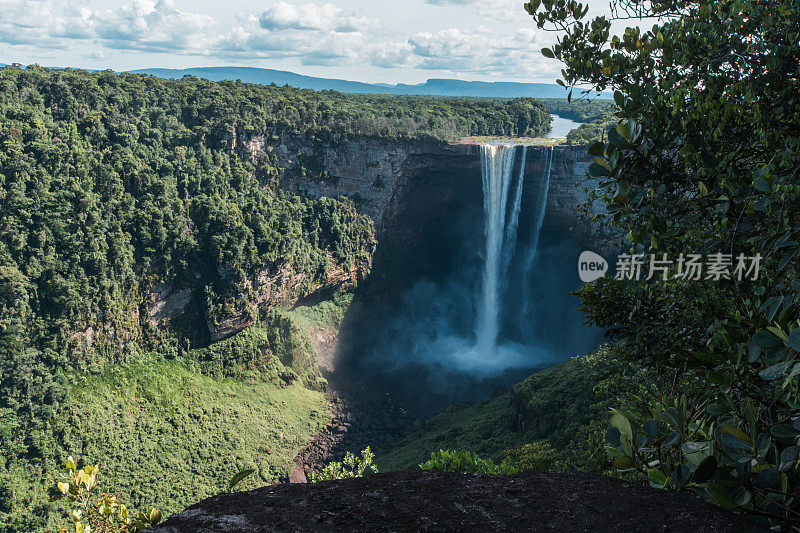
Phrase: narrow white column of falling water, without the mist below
x=500 y=225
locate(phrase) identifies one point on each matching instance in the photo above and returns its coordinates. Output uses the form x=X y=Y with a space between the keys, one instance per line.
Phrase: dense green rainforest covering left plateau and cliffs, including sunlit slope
x=120 y=192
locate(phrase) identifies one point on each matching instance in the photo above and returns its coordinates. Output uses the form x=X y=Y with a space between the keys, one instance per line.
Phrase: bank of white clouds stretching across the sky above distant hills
x=306 y=33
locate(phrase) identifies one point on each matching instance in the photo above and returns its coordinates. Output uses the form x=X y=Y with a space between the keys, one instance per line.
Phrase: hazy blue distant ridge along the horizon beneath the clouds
x=433 y=87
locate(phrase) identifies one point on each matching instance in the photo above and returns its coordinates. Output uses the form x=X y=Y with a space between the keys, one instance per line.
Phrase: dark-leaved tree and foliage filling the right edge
x=704 y=158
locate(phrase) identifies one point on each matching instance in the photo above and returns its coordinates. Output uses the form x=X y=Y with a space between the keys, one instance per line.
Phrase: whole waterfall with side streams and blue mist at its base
x=433 y=327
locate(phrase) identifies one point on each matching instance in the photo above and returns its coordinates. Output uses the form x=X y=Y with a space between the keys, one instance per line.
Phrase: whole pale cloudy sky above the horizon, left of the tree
x=400 y=41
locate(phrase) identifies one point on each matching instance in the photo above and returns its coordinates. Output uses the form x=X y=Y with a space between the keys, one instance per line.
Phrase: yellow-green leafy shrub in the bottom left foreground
x=97 y=513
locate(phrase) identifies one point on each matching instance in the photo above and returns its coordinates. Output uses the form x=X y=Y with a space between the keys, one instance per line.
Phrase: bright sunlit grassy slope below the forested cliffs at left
x=167 y=436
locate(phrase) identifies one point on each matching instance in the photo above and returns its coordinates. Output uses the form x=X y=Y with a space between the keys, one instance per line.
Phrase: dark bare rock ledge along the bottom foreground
x=424 y=501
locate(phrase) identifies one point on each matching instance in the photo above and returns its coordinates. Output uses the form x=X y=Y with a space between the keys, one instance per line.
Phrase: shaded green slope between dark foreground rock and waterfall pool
x=562 y=396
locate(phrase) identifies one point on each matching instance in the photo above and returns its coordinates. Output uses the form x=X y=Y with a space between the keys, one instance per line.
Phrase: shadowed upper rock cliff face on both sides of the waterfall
x=392 y=180
